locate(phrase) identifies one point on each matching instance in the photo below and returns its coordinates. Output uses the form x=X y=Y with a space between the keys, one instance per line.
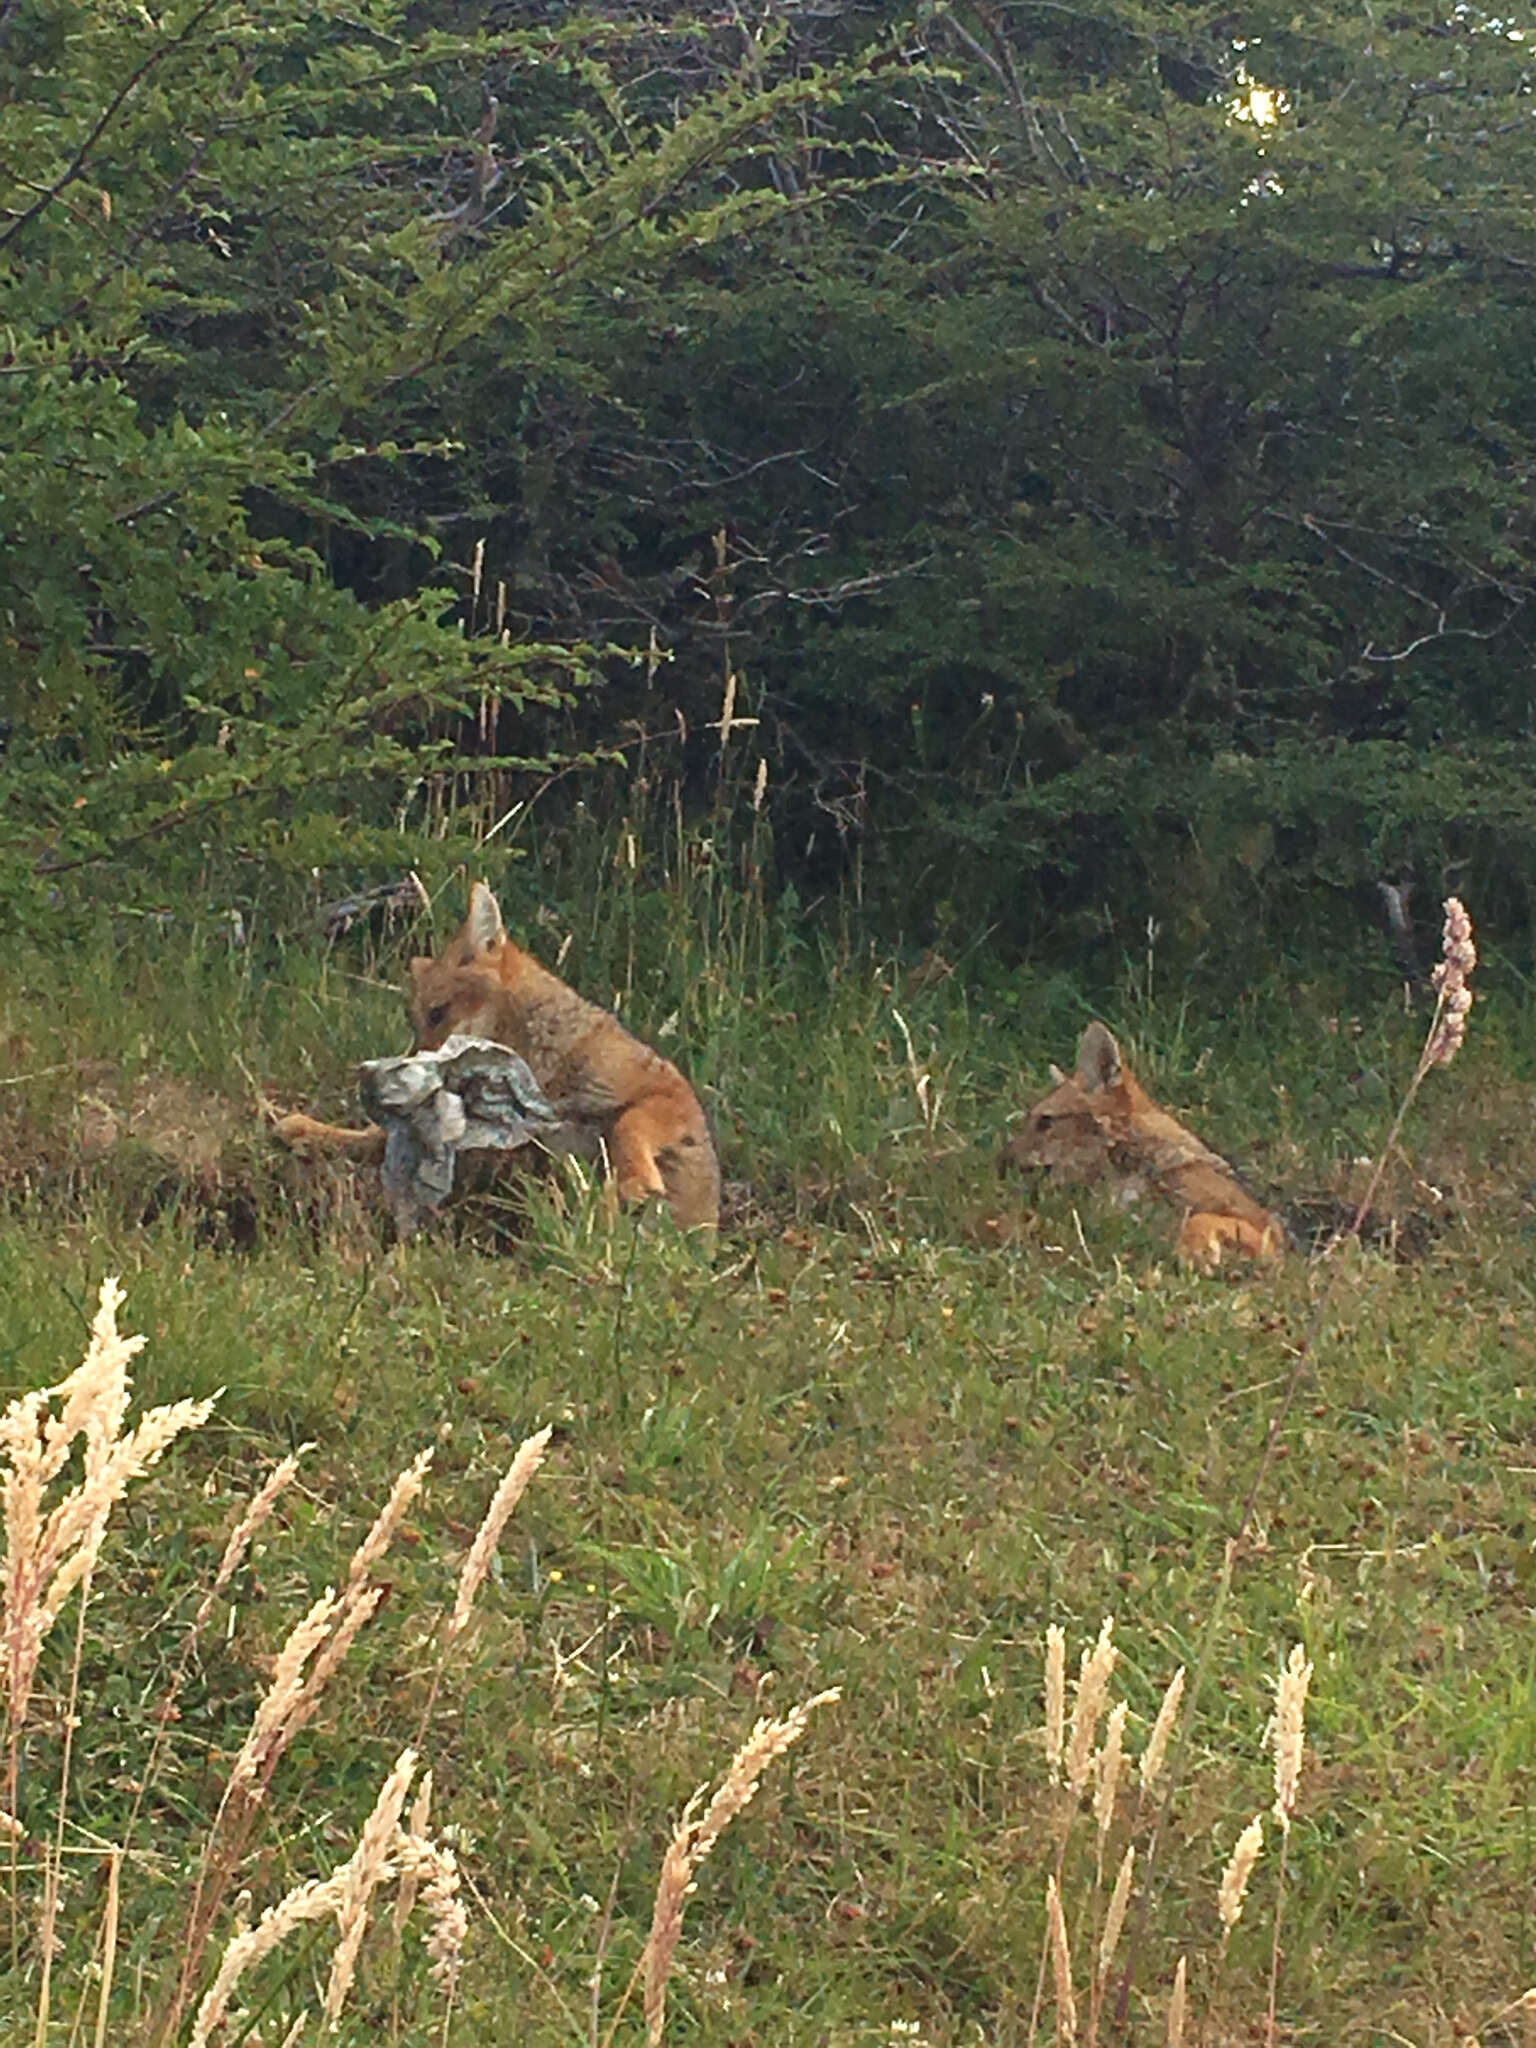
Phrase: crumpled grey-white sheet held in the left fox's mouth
x=470 y=1097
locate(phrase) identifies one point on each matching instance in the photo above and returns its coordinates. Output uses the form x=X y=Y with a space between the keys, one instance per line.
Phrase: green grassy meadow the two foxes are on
x=904 y=1422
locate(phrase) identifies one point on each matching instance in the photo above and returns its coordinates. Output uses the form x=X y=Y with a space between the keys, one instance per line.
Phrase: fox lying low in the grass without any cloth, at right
x=1101 y=1123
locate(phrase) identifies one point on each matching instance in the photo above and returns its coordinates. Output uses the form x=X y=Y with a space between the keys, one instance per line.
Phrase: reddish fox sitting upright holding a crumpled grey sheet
x=595 y=1074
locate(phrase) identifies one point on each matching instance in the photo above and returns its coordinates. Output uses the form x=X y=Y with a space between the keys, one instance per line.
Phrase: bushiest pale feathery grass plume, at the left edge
x=50 y=1553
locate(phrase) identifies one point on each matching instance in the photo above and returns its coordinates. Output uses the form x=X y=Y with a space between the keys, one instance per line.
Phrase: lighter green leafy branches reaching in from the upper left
x=243 y=249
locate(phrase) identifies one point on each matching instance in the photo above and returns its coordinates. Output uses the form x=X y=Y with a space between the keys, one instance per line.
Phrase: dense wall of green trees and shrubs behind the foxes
x=1086 y=447
